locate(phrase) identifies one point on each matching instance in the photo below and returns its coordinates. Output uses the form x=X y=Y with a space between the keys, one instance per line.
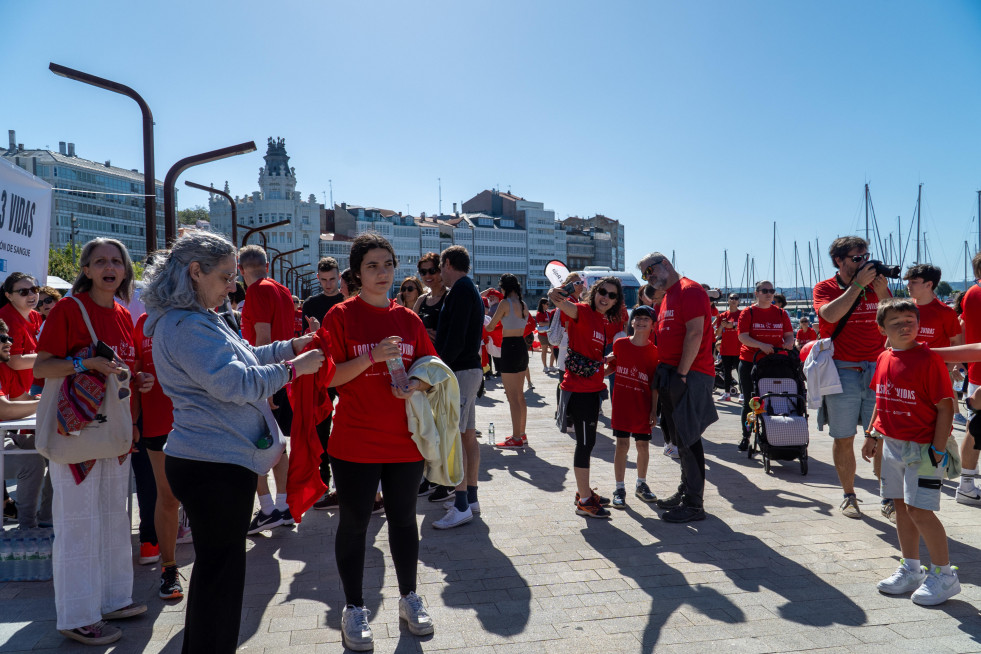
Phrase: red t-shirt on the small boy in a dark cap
x=632 y=386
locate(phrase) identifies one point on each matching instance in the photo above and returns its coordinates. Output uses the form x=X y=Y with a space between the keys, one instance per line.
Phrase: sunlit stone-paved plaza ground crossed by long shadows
x=775 y=567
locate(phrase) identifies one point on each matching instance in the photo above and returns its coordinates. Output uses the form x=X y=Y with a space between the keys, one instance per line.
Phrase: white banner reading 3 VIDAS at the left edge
x=25 y=222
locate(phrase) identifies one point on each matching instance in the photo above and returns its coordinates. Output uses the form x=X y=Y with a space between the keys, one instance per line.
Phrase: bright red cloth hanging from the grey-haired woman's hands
x=311 y=406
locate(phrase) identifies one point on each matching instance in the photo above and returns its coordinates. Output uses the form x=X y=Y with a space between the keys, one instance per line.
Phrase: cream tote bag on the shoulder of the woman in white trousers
x=109 y=435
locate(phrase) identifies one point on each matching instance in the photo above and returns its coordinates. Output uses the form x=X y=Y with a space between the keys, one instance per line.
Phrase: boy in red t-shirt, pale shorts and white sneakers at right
x=914 y=412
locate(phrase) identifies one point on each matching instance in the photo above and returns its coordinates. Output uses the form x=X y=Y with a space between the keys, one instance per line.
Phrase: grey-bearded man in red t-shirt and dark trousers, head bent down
x=684 y=379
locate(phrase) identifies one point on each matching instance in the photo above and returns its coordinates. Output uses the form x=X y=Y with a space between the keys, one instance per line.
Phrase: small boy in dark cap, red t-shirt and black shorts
x=634 y=360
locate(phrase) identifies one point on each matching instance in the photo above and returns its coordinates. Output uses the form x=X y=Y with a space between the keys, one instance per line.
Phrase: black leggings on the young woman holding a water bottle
x=356 y=485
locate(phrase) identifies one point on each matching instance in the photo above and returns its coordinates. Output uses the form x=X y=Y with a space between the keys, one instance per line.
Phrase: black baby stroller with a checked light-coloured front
x=780 y=429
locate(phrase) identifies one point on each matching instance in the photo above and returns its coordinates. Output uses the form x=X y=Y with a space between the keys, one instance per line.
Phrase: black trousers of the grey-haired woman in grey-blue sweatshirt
x=217 y=498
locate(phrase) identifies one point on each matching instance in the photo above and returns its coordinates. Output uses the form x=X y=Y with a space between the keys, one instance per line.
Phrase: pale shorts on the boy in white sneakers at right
x=908 y=474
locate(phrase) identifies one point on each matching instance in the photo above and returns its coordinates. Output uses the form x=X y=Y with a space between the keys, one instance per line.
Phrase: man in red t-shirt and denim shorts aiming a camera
x=851 y=296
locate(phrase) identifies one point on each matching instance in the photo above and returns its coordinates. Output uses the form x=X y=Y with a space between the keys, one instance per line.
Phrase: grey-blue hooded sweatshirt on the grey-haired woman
x=219 y=385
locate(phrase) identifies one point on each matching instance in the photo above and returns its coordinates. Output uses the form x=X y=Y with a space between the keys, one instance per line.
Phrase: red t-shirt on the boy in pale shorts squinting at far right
x=908 y=385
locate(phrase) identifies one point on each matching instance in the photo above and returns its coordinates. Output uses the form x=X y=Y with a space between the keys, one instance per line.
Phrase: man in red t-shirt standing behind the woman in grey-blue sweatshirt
x=268 y=316
